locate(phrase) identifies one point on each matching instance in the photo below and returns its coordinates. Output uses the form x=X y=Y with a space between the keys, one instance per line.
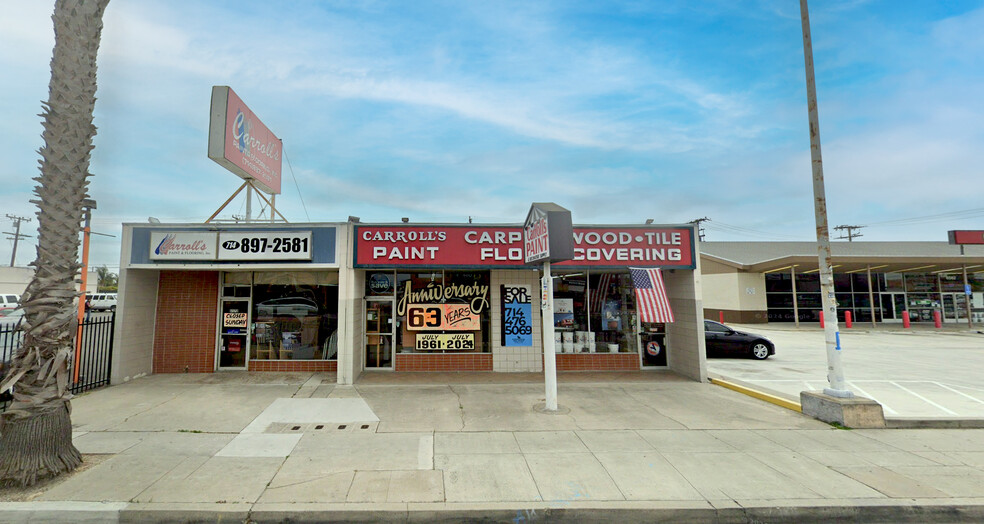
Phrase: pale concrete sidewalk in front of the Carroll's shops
x=632 y=447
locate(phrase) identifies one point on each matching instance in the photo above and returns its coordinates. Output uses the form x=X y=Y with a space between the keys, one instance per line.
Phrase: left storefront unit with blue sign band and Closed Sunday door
x=199 y=298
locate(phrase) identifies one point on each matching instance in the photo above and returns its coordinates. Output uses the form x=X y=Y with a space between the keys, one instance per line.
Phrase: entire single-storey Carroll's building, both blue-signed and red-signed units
x=351 y=297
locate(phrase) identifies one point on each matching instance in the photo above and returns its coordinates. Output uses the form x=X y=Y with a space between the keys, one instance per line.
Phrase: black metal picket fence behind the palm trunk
x=96 y=352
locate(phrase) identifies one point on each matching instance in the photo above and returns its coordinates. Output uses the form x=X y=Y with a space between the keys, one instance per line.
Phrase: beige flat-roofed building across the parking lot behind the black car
x=882 y=281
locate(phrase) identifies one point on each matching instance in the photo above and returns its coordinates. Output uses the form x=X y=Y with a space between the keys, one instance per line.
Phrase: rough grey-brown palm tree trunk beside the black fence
x=36 y=430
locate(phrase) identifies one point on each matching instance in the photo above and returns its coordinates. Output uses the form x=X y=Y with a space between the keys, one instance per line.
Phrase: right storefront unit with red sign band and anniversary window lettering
x=459 y=298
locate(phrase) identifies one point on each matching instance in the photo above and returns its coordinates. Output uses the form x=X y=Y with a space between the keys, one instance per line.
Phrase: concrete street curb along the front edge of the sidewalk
x=875 y=511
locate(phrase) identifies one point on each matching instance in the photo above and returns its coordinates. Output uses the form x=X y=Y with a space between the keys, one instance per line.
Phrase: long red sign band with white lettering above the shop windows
x=502 y=246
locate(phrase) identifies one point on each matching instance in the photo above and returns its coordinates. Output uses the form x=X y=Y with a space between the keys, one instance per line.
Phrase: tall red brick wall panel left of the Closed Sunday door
x=184 y=339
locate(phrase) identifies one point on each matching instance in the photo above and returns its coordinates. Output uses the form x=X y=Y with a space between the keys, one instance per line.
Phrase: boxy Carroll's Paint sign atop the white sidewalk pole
x=547 y=234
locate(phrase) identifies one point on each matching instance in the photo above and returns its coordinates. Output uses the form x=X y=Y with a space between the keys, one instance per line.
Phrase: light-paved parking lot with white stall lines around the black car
x=916 y=373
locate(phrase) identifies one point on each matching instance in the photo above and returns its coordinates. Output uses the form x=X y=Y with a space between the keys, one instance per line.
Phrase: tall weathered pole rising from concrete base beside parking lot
x=835 y=368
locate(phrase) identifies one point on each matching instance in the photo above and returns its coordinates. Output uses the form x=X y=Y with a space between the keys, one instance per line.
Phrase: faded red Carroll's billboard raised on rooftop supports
x=239 y=142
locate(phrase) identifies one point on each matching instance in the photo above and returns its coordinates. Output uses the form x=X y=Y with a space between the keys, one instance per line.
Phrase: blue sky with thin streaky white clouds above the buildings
x=673 y=110
